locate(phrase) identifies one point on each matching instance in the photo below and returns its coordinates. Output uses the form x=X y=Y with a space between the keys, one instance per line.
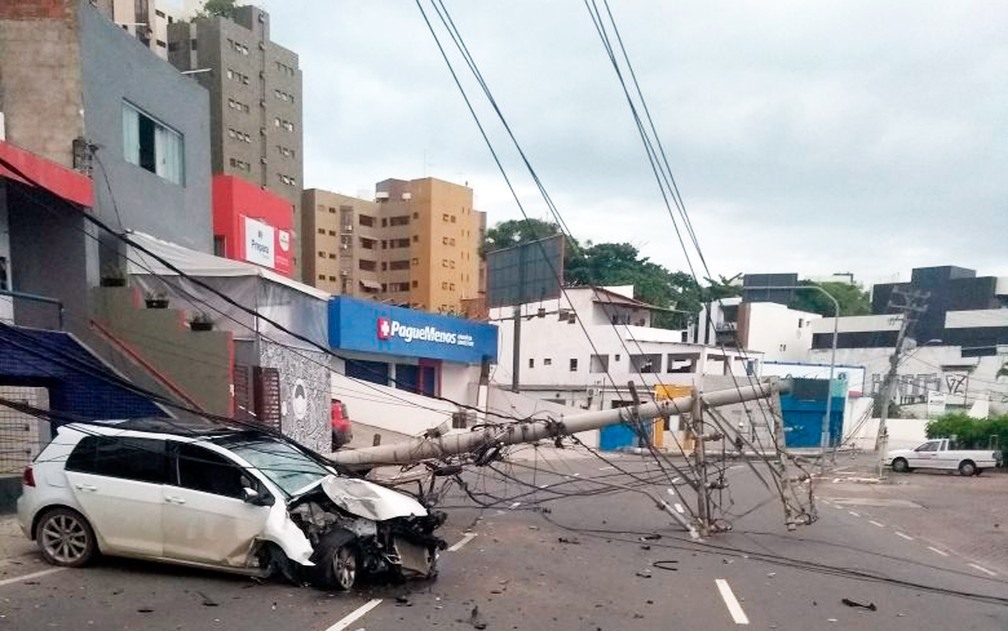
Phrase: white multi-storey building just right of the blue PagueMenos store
x=584 y=348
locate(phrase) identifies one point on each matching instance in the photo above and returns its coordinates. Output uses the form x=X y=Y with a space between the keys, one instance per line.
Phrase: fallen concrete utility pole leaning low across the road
x=515 y=433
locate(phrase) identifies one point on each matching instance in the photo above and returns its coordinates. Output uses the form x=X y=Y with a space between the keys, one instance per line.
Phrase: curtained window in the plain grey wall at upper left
x=152 y=146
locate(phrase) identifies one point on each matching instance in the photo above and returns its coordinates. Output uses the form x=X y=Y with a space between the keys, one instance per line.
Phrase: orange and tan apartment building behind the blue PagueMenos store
x=417 y=244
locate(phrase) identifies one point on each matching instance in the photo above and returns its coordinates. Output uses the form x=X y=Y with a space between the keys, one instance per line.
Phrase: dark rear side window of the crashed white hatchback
x=142 y=460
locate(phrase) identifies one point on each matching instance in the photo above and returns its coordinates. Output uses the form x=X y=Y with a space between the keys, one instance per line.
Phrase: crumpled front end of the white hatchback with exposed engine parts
x=354 y=527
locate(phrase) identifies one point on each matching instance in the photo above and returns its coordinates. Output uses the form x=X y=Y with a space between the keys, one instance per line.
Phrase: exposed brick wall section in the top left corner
x=41 y=84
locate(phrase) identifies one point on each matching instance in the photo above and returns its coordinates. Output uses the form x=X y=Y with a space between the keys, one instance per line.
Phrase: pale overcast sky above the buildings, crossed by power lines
x=815 y=138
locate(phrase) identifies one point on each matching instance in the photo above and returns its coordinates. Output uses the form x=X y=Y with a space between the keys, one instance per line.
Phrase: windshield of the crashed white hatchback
x=288 y=467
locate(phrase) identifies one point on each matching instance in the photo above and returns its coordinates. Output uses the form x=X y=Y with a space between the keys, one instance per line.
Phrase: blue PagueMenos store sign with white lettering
x=369 y=327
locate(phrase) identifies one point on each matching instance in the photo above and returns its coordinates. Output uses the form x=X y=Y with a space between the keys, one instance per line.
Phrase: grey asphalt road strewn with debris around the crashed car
x=553 y=562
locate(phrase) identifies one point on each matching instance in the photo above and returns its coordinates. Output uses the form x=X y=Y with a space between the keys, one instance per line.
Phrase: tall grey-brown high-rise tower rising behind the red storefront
x=256 y=102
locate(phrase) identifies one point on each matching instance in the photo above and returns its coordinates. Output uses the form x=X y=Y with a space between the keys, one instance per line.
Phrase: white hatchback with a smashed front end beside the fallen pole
x=226 y=498
